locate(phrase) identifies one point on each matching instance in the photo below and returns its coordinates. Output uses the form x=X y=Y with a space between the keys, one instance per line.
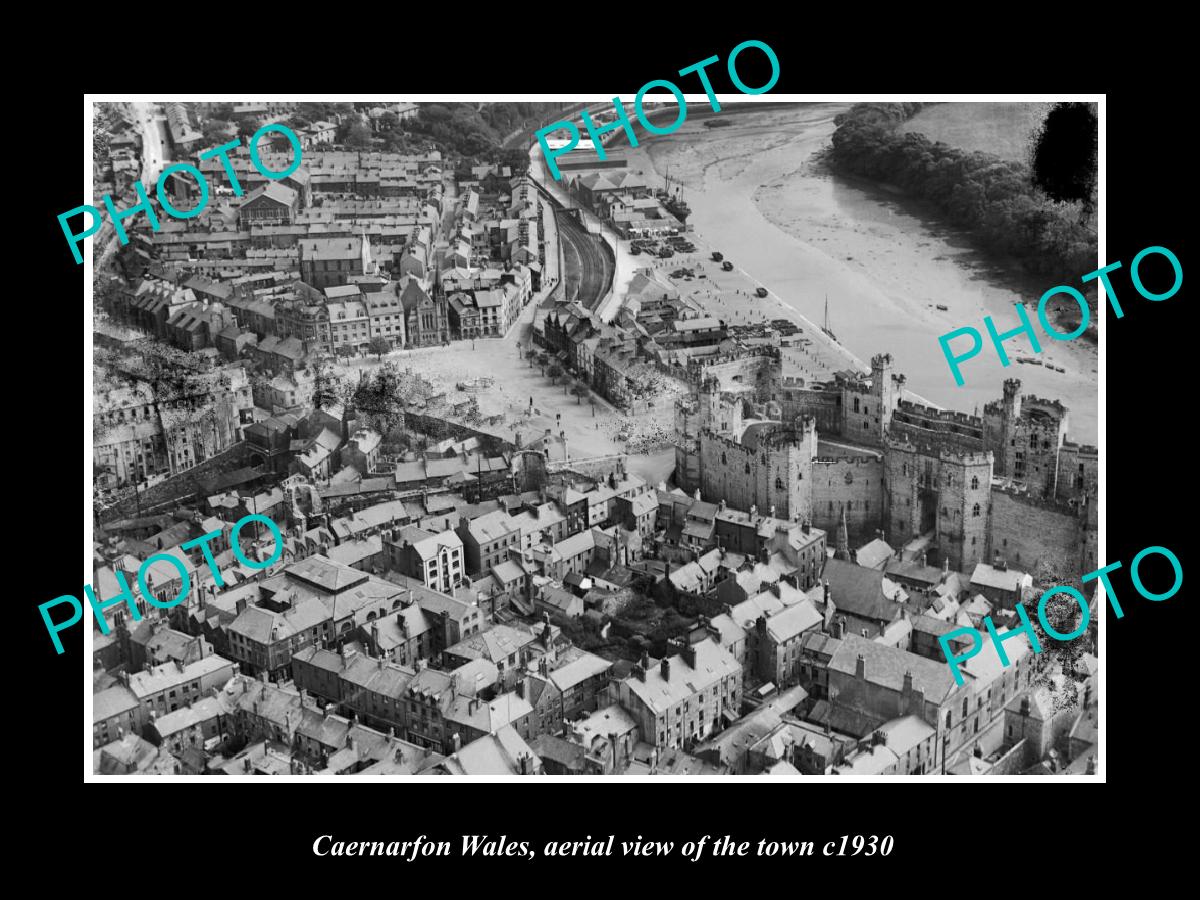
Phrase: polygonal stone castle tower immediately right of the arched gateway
x=964 y=508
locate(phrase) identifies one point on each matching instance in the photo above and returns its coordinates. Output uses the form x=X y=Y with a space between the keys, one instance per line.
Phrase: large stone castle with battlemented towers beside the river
x=1006 y=487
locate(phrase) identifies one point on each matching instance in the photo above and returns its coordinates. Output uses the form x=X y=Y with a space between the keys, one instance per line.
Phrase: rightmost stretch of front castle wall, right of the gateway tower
x=1027 y=531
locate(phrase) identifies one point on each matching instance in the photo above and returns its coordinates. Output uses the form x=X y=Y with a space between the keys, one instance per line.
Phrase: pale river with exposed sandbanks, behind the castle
x=758 y=196
